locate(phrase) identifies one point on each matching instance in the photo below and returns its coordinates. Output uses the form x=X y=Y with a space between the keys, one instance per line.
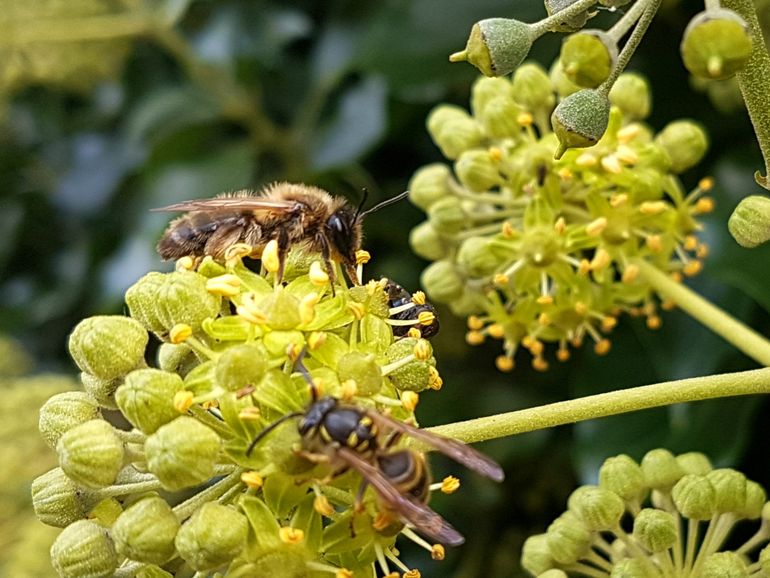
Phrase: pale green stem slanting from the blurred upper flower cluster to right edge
x=730 y=329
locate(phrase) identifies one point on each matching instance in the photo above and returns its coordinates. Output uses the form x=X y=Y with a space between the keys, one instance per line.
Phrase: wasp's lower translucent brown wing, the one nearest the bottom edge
x=418 y=514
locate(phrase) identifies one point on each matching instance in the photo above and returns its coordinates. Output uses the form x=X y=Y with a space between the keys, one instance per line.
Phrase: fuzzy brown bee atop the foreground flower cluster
x=291 y=213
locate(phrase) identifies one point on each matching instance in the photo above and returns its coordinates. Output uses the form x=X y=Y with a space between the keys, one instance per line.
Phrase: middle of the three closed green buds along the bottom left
x=145 y=532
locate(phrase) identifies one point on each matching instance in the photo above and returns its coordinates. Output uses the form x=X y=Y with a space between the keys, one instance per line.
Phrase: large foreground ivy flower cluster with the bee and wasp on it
x=178 y=493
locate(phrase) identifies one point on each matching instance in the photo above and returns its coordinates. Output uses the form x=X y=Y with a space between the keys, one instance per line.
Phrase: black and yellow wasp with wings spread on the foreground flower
x=348 y=436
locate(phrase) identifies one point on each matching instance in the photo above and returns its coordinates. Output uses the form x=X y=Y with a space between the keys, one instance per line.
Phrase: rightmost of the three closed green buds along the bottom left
x=214 y=535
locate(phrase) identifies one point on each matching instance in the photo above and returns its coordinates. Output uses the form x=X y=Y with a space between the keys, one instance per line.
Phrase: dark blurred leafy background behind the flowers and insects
x=109 y=108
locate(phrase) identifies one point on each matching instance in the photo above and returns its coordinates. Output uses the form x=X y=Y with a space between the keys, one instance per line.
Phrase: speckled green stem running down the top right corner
x=754 y=81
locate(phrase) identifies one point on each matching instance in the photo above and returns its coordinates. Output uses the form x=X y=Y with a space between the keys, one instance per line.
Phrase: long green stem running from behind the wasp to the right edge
x=605 y=404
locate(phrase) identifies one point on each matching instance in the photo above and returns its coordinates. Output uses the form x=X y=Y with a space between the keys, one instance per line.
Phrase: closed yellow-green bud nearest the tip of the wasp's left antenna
x=182 y=453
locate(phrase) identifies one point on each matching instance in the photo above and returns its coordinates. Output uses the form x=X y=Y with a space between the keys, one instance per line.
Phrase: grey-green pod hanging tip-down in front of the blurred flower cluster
x=580 y=120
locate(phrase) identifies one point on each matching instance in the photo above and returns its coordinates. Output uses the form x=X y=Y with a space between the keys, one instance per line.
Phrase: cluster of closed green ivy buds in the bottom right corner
x=666 y=516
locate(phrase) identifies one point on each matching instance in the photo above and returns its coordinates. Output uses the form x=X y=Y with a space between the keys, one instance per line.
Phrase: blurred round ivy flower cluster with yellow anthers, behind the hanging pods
x=534 y=249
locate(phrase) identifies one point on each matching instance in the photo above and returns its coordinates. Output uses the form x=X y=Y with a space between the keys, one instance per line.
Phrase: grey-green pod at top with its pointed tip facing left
x=496 y=46
